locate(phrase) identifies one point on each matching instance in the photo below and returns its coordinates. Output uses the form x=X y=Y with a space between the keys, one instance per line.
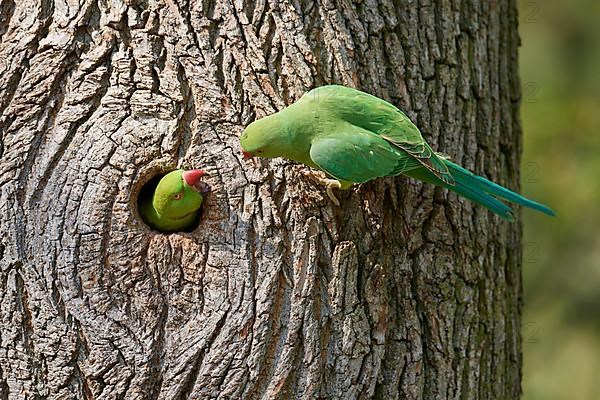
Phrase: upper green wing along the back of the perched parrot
x=383 y=119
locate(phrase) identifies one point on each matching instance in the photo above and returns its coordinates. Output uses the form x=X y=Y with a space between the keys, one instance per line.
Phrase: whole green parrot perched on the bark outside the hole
x=355 y=137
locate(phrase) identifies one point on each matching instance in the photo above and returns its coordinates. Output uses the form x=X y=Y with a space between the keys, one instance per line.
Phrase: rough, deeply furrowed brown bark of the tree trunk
x=405 y=291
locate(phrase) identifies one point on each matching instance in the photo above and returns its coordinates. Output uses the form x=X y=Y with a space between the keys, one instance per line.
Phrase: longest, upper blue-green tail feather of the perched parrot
x=483 y=186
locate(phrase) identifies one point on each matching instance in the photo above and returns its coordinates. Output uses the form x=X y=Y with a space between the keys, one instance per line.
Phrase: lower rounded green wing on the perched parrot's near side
x=356 y=155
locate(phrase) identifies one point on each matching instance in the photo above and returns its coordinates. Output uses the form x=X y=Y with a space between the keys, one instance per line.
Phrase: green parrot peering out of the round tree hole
x=175 y=203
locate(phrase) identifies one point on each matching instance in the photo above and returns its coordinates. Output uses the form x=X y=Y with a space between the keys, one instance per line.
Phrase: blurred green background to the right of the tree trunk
x=560 y=75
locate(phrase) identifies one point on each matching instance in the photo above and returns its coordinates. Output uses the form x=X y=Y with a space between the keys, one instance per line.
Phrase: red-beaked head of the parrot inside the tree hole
x=180 y=193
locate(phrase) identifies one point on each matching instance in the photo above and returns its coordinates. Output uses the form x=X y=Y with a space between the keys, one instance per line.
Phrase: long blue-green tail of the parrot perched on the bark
x=482 y=191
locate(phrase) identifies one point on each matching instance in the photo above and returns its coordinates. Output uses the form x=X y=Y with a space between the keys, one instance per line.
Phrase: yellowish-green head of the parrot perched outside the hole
x=266 y=138
